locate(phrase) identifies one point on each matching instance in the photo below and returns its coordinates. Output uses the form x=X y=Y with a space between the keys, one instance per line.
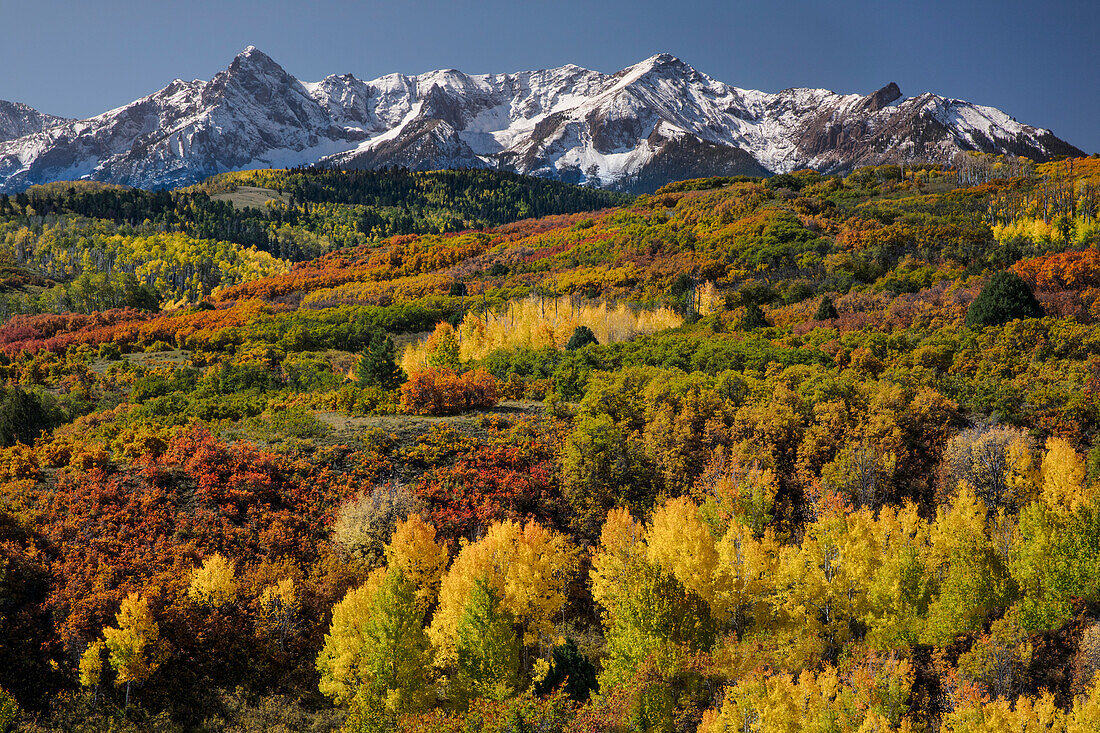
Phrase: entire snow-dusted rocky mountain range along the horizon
x=657 y=122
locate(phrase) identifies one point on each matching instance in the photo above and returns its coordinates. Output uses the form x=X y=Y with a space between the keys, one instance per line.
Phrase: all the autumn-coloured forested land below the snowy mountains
x=799 y=454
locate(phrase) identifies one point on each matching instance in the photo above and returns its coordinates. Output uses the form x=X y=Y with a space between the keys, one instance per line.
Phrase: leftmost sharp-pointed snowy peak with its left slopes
x=252 y=115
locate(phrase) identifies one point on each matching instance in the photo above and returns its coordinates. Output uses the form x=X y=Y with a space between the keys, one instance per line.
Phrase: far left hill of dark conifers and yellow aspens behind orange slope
x=81 y=247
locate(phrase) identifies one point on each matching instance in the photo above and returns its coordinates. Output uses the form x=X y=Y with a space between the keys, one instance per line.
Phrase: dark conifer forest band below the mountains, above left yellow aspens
x=328 y=210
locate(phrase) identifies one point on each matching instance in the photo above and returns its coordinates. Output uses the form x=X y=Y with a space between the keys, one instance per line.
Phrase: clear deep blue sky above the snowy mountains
x=1039 y=61
